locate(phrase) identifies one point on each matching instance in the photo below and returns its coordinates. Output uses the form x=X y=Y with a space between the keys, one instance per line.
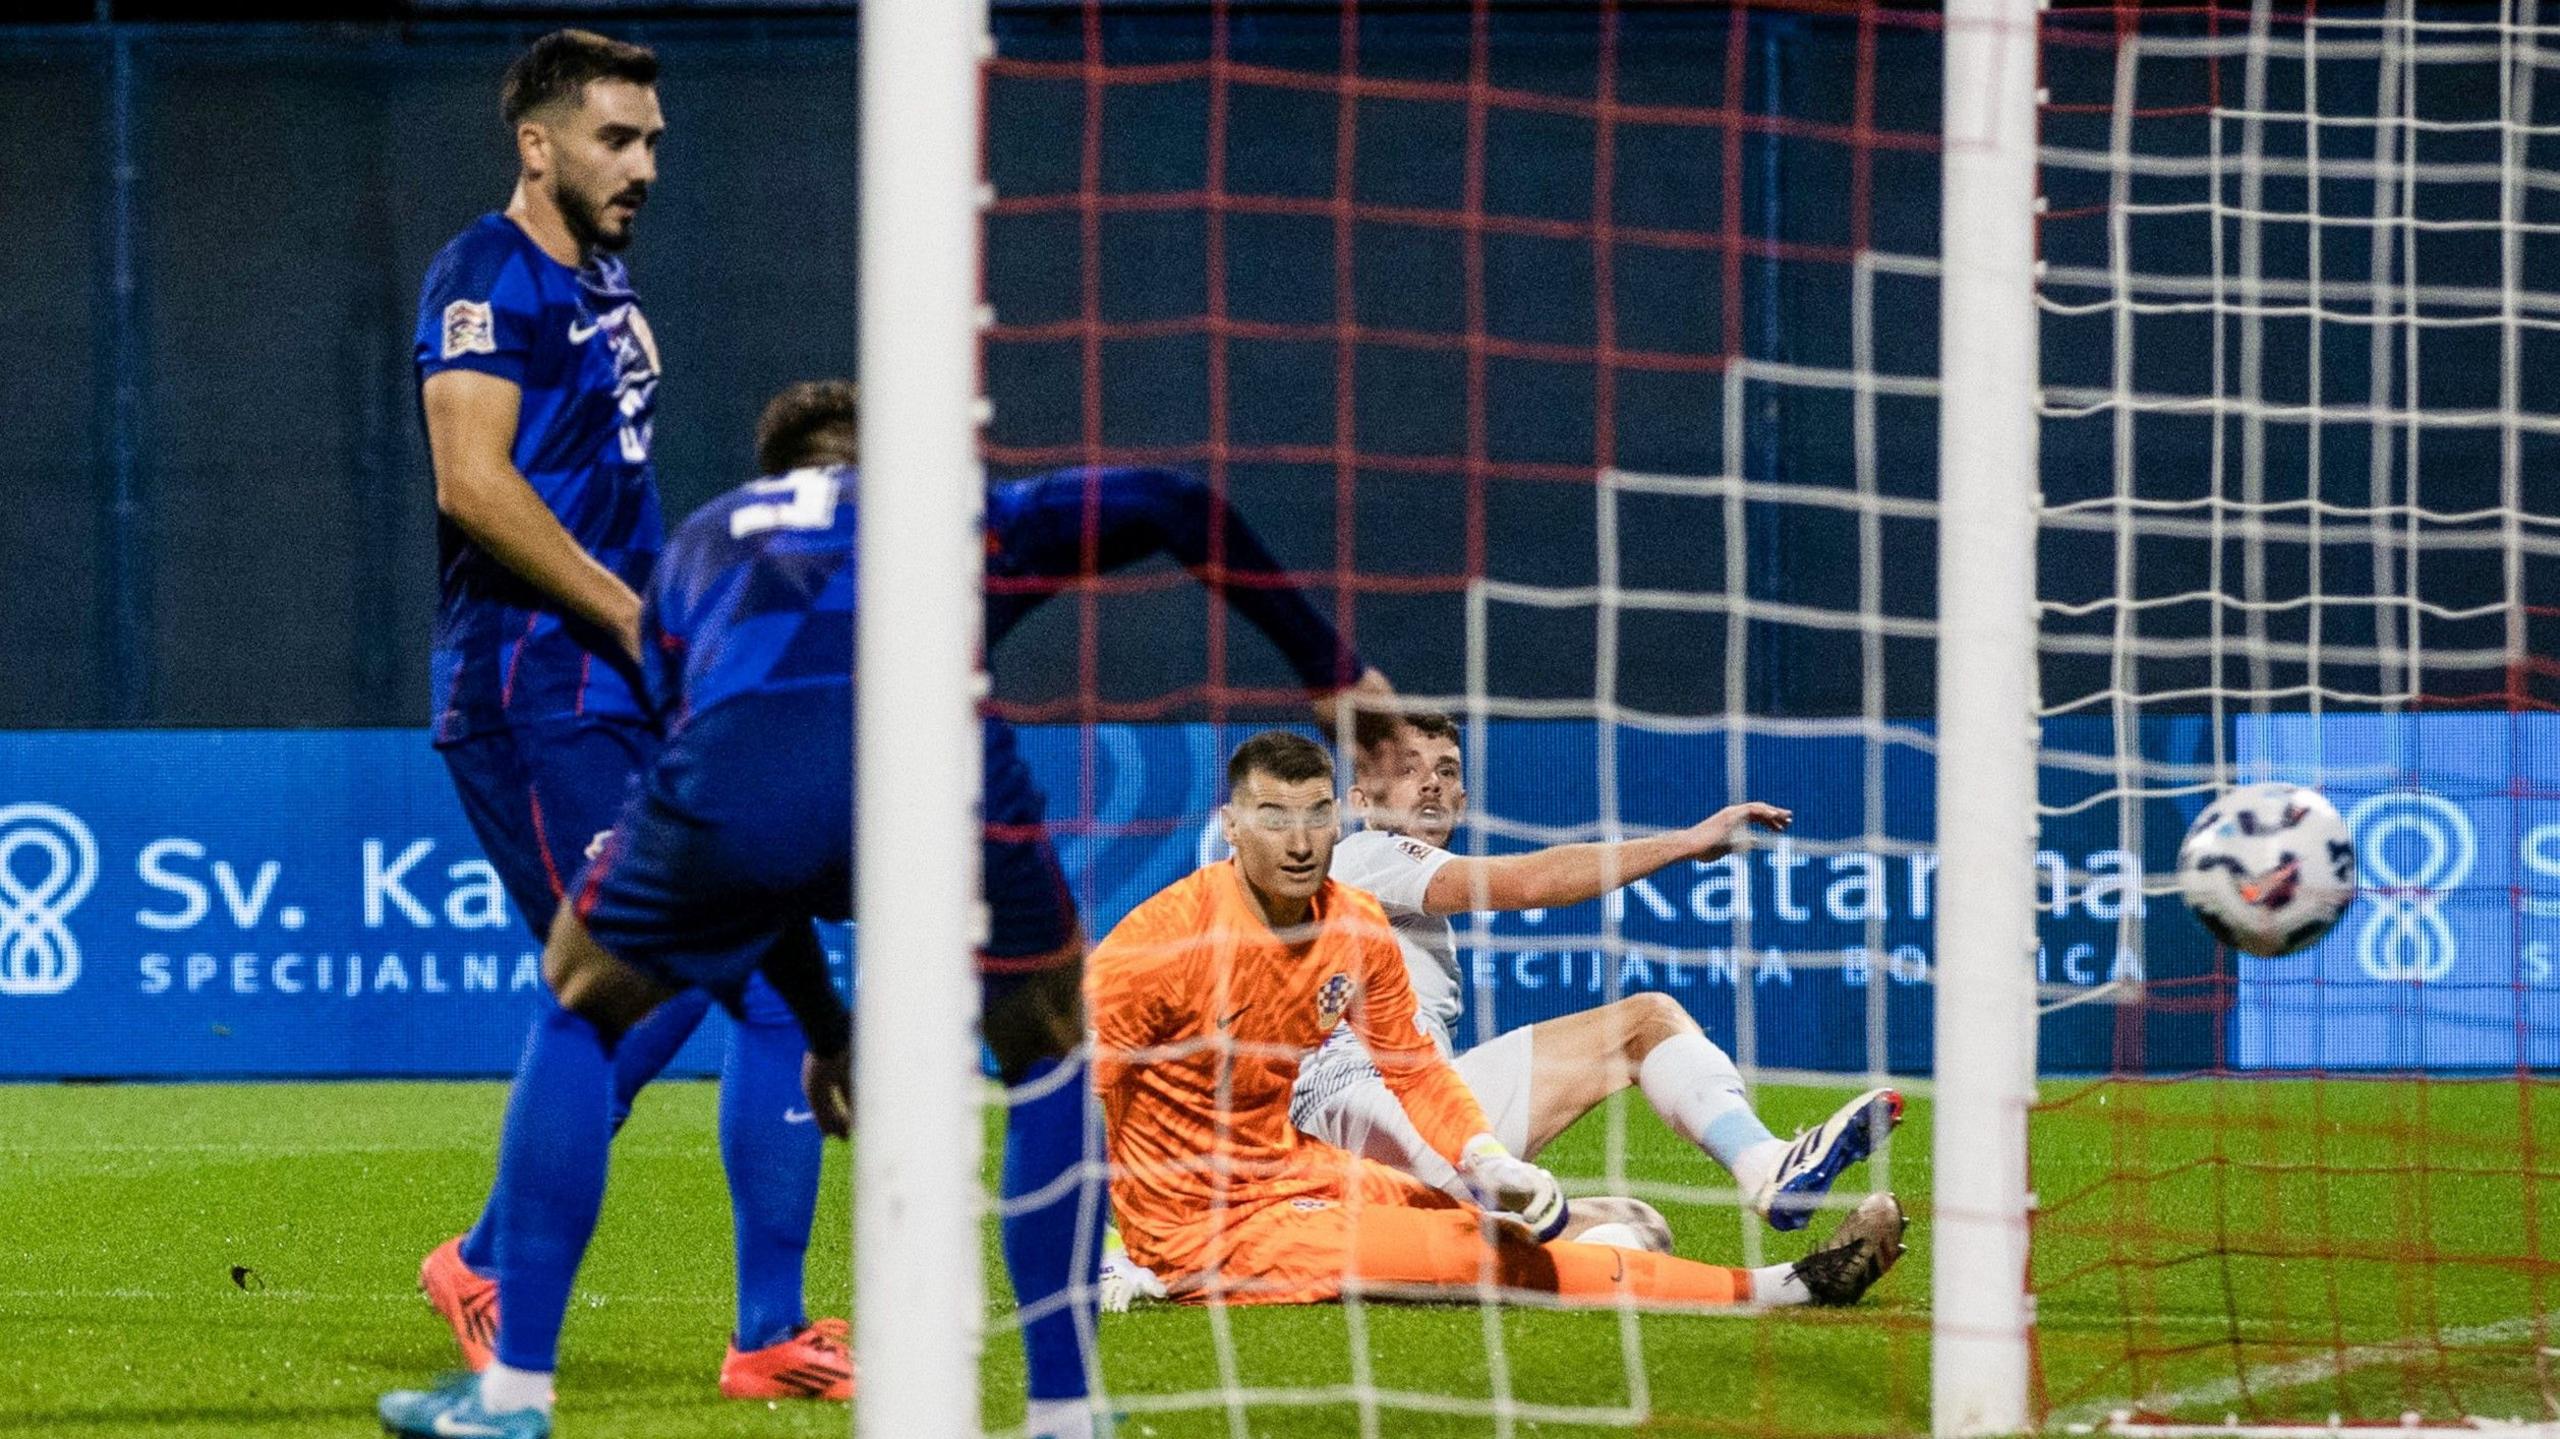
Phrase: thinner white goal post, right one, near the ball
x=1988 y=731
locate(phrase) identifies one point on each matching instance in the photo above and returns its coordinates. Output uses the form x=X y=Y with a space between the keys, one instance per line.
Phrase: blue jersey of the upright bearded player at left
x=577 y=347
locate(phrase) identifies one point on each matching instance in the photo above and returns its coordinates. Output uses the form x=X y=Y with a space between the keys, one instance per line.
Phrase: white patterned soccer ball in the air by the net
x=2269 y=867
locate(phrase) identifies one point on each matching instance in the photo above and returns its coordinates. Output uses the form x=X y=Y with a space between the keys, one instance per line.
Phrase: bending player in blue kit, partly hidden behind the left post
x=741 y=833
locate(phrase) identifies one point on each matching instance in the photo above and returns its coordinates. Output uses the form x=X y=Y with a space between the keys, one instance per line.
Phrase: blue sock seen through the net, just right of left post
x=1061 y=1243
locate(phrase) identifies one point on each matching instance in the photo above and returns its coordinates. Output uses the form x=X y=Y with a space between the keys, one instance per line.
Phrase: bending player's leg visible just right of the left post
x=1033 y=1023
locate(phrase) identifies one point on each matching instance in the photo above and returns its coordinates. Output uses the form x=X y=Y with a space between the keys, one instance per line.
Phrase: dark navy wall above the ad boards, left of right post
x=219 y=498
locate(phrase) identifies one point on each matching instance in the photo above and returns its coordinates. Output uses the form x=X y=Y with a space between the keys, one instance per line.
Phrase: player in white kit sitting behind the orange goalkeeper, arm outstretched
x=1537 y=1082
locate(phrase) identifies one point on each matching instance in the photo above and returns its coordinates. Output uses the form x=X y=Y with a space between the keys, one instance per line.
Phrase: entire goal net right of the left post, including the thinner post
x=1591 y=365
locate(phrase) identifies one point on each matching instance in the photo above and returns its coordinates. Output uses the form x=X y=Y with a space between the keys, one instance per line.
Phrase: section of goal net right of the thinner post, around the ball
x=2298 y=524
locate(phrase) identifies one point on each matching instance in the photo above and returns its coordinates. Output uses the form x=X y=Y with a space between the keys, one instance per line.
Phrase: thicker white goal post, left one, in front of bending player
x=915 y=1235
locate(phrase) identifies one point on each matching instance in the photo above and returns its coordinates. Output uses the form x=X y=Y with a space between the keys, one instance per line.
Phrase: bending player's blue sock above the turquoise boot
x=549 y=1182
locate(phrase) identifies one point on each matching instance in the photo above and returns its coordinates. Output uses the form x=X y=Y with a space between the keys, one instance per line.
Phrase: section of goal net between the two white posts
x=1542 y=344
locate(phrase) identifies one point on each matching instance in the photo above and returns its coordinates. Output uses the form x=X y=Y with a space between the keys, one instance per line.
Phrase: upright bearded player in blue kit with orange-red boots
x=539 y=385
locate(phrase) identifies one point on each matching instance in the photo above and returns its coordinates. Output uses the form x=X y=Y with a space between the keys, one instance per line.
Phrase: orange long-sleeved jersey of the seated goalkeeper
x=1202 y=1018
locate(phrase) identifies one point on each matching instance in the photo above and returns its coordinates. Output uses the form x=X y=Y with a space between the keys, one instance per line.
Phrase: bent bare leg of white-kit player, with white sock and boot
x=1537 y=1082
